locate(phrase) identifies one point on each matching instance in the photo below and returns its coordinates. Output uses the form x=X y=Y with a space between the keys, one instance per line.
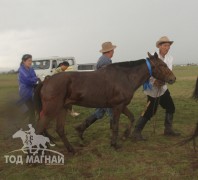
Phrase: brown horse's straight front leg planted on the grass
x=115 y=126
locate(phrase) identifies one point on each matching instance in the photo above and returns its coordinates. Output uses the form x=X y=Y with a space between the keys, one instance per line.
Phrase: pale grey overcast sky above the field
x=78 y=27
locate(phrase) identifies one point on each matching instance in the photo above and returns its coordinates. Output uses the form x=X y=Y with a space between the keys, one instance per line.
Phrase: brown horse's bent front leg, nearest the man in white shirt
x=130 y=116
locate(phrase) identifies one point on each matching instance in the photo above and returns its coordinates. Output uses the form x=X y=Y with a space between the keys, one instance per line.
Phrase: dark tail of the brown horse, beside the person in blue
x=37 y=98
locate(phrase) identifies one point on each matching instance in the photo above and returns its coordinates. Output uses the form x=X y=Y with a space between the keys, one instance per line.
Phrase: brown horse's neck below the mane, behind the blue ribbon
x=138 y=75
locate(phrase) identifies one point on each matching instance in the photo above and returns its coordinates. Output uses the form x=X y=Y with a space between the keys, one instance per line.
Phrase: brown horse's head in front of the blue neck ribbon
x=160 y=70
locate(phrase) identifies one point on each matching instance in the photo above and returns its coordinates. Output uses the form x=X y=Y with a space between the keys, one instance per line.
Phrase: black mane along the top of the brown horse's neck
x=128 y=64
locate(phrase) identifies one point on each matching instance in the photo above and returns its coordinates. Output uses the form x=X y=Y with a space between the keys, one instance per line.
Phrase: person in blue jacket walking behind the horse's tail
x=27 y=81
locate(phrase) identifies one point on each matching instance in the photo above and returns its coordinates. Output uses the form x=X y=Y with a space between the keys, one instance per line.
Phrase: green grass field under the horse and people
x=157 y=158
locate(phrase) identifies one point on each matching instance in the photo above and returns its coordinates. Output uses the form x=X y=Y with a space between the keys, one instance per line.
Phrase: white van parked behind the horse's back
x=46 y=66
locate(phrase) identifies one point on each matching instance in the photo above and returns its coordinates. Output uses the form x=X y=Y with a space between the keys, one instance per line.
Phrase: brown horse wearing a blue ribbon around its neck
x=110 y=87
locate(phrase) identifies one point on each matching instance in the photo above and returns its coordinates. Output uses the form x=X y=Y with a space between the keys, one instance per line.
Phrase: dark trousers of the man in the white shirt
x=165 y=101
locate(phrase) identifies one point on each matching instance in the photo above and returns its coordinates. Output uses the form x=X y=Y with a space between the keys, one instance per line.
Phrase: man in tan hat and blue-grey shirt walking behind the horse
x=107 y=53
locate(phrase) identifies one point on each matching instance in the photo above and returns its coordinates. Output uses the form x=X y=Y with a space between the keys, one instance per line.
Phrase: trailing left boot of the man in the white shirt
x=136 y=134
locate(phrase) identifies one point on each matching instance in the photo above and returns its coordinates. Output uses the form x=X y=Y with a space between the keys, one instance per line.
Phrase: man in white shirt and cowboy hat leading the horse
x=158 y=94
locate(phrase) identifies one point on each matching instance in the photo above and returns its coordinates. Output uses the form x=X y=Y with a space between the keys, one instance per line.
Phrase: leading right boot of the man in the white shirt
x=168 y=131
